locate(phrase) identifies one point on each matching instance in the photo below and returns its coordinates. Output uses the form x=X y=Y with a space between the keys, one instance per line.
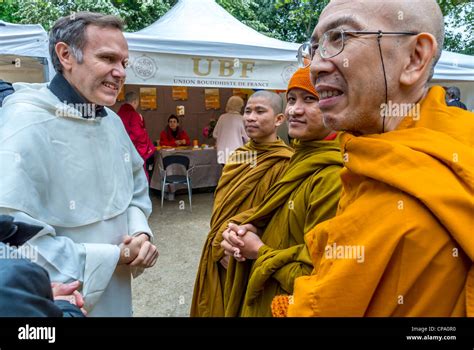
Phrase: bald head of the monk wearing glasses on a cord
x=351 y=84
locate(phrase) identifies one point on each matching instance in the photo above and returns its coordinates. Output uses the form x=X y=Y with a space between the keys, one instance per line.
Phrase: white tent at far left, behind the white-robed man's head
x=24 y=53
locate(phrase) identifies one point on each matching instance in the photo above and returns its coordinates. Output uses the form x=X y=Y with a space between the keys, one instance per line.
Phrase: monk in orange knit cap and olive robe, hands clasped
x=272 y=234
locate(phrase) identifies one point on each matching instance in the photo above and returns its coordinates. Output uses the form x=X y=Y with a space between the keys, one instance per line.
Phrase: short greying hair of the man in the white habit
x=72 y=31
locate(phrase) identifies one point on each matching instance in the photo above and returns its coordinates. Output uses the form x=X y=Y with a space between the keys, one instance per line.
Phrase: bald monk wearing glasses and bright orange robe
x=407 y=202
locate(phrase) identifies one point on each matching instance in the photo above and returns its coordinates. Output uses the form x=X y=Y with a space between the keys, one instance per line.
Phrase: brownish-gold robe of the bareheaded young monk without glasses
x=246 y=178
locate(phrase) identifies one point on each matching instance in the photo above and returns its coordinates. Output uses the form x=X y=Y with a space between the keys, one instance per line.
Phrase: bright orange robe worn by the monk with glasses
x=408 y=203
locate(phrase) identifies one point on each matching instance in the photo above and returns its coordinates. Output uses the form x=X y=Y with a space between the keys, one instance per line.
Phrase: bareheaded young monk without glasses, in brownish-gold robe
x=246 y=177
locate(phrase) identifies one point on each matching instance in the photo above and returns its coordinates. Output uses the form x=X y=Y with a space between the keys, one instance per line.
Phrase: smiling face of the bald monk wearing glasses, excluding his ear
x=350 y=85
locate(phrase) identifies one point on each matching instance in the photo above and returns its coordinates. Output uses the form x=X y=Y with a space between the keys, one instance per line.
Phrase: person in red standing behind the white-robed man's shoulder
x=135 y=126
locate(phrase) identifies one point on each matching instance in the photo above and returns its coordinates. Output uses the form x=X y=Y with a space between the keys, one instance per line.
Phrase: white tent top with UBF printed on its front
x=198 y=43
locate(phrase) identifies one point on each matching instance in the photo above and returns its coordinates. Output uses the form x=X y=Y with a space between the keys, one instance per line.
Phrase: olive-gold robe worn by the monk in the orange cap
x=306 y=195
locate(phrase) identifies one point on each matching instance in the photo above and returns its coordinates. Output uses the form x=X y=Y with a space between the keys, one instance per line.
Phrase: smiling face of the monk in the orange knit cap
x=304 y=116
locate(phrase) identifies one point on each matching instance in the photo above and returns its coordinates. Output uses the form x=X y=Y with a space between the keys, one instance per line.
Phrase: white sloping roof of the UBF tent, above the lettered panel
x=204 y=28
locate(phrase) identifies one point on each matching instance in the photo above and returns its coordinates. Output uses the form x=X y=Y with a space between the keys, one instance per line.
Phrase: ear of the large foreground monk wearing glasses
x=422 y=51
